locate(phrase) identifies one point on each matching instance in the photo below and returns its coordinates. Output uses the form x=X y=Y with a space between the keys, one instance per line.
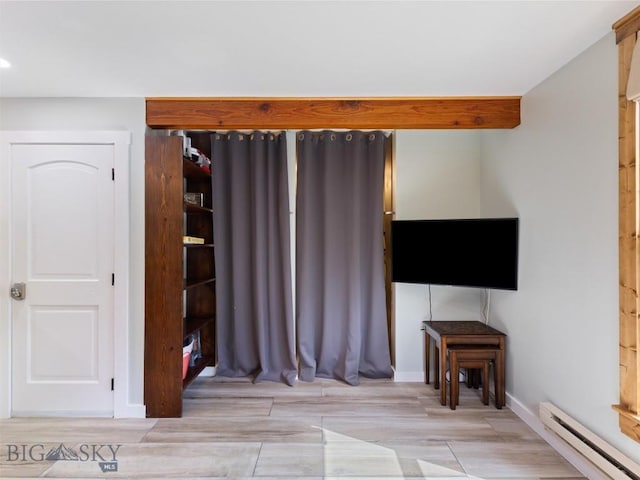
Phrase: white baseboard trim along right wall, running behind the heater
x=585 y=467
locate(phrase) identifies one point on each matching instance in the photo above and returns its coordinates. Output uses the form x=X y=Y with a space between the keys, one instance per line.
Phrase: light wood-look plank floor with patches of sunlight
x=234 y=429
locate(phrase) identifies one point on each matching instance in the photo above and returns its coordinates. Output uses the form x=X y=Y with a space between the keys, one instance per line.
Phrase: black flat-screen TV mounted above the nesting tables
x=462 y=252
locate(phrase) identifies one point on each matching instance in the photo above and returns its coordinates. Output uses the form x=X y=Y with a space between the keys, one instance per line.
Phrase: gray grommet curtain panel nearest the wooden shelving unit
x=254 y=313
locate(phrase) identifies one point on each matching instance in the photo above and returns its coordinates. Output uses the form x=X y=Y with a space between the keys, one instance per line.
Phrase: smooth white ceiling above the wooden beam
x=293 y=48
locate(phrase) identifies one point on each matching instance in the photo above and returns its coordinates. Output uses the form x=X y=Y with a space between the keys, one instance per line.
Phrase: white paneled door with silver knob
x=62 y=250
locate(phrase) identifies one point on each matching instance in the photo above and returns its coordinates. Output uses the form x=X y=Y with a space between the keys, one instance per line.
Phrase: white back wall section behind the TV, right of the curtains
x=437 y=176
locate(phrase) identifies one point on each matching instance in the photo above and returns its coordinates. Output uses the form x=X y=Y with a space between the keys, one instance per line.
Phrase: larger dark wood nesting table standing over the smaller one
x=462 y=332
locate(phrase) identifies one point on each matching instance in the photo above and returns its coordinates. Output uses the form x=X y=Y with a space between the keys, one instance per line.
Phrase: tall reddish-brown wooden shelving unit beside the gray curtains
x=180 y=278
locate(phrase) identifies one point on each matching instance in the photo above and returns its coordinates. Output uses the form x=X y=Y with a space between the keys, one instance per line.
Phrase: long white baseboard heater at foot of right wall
x=593 y=448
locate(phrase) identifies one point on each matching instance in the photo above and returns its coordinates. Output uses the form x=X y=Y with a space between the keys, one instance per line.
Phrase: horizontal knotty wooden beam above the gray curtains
x=301 y=113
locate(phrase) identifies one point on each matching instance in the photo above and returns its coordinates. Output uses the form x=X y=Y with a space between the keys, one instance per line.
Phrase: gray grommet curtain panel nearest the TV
x=340 y=292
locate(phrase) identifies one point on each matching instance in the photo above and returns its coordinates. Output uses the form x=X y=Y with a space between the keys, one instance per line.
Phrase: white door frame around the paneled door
x=121 y=141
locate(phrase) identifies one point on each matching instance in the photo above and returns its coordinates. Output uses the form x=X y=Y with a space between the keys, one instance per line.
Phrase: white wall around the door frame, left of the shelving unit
x=101 y=114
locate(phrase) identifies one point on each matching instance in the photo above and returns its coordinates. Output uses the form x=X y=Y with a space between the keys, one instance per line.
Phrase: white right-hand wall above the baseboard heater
x=558 y=173
